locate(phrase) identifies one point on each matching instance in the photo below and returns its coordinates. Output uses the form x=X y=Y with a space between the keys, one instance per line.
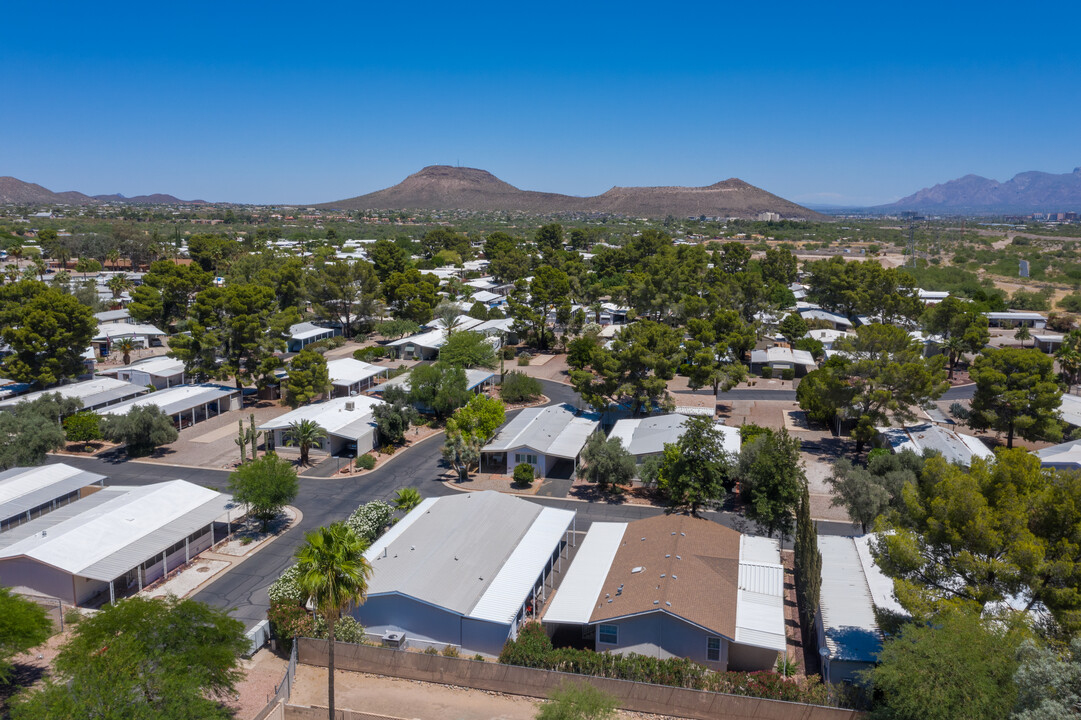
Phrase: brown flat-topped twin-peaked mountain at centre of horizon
x=444 y=188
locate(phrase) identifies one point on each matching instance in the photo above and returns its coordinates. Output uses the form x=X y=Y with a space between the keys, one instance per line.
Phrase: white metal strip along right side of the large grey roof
x=519 y=575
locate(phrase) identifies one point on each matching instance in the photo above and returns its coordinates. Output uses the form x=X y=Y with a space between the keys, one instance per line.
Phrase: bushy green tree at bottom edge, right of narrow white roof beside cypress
x=958 y=669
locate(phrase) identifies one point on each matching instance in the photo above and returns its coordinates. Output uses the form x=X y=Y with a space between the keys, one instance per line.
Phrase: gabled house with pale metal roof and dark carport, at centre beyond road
x=551 y=439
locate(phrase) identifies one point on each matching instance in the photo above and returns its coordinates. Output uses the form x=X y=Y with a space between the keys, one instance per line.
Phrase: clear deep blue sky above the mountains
x=819 y=102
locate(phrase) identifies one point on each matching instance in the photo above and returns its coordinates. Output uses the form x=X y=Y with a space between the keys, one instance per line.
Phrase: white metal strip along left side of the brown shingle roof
x=582 y=585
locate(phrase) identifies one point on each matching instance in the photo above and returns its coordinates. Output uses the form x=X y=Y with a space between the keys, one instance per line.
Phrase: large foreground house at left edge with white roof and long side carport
x=115 y=542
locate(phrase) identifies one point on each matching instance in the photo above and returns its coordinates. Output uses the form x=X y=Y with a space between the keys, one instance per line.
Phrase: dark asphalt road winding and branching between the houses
x=324 y=501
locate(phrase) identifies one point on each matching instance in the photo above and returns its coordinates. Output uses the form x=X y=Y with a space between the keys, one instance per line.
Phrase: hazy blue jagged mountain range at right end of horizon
x=1032 y=192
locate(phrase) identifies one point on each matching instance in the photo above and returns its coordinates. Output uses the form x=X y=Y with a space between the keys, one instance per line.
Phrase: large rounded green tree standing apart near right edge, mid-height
x=1017 y=394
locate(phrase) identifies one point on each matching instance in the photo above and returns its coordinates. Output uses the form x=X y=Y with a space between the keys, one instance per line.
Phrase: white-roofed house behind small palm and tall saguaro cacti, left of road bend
x=349 y=423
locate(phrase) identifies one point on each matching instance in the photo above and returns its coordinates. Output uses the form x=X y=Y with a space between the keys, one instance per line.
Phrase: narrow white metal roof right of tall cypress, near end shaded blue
x=848 y=610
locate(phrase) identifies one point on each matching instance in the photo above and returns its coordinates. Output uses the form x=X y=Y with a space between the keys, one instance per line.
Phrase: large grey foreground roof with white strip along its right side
x=455 y=551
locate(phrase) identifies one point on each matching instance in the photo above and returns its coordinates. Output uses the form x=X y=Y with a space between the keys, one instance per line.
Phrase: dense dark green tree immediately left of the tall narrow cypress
x=772 y=481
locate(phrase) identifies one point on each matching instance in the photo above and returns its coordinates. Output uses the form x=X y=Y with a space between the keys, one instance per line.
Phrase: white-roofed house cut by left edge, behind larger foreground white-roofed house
x=30 y=492
